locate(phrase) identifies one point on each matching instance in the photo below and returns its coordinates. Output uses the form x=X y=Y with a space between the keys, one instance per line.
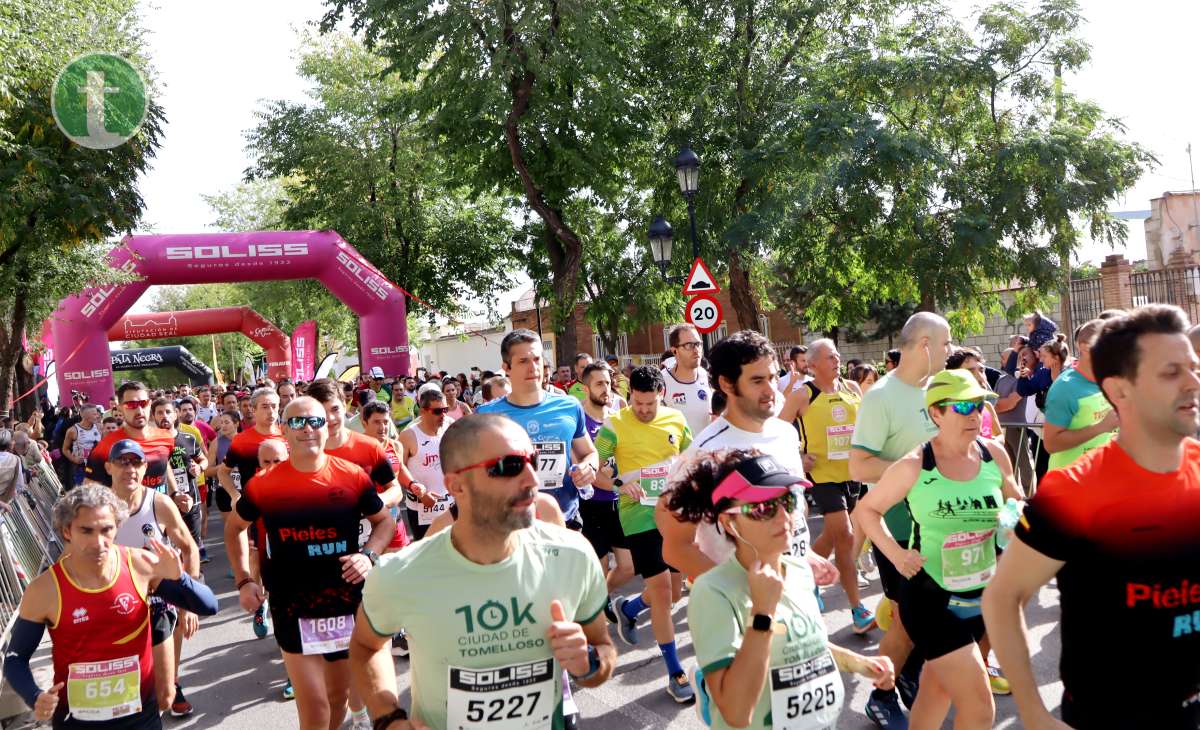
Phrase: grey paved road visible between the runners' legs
x=235 y=680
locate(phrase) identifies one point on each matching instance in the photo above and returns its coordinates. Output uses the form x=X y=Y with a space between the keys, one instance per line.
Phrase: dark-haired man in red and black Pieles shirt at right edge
x=1119 y=529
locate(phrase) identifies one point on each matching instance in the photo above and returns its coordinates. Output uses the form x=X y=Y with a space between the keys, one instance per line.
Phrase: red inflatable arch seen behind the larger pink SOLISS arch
x=187 y=324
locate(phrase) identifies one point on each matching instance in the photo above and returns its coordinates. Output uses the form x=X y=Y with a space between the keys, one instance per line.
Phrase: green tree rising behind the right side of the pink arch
x=356 y=161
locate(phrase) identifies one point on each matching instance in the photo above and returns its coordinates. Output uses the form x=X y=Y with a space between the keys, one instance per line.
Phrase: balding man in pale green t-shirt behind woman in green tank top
x=892 y=422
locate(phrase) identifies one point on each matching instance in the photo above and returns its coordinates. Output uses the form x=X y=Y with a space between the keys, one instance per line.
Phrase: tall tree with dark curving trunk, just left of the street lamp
x=538 y=99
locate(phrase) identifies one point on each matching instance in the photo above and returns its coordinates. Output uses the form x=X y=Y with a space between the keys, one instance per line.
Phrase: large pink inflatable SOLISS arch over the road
x=80 y=327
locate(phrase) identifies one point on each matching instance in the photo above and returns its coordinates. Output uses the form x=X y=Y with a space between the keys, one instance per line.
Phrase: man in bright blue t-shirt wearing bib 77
x=555 y=424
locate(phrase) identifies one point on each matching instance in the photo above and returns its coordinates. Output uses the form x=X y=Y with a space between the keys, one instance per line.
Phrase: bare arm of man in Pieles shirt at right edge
x=1021 y=575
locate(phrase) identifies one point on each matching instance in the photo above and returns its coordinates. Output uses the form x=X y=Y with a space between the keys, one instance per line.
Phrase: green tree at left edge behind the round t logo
x=59 y=202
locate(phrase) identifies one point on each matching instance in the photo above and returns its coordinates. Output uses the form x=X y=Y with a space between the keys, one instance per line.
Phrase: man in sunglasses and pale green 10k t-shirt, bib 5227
x=505 y=603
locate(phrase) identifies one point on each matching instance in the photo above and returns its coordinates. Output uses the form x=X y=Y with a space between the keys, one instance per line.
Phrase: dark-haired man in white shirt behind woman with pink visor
x=745 y=368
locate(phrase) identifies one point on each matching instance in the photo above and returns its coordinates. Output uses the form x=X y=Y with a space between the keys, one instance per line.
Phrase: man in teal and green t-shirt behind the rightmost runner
x=1079 y=418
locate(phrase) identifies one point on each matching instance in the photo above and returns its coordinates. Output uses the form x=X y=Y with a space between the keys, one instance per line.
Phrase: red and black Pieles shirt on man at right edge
x=1130 y=588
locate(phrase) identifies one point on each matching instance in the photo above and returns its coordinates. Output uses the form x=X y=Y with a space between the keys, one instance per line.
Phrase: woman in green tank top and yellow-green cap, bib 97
x=955 y=488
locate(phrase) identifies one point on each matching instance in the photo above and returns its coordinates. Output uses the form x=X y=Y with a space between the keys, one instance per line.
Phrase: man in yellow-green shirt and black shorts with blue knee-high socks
x=639 y=445
